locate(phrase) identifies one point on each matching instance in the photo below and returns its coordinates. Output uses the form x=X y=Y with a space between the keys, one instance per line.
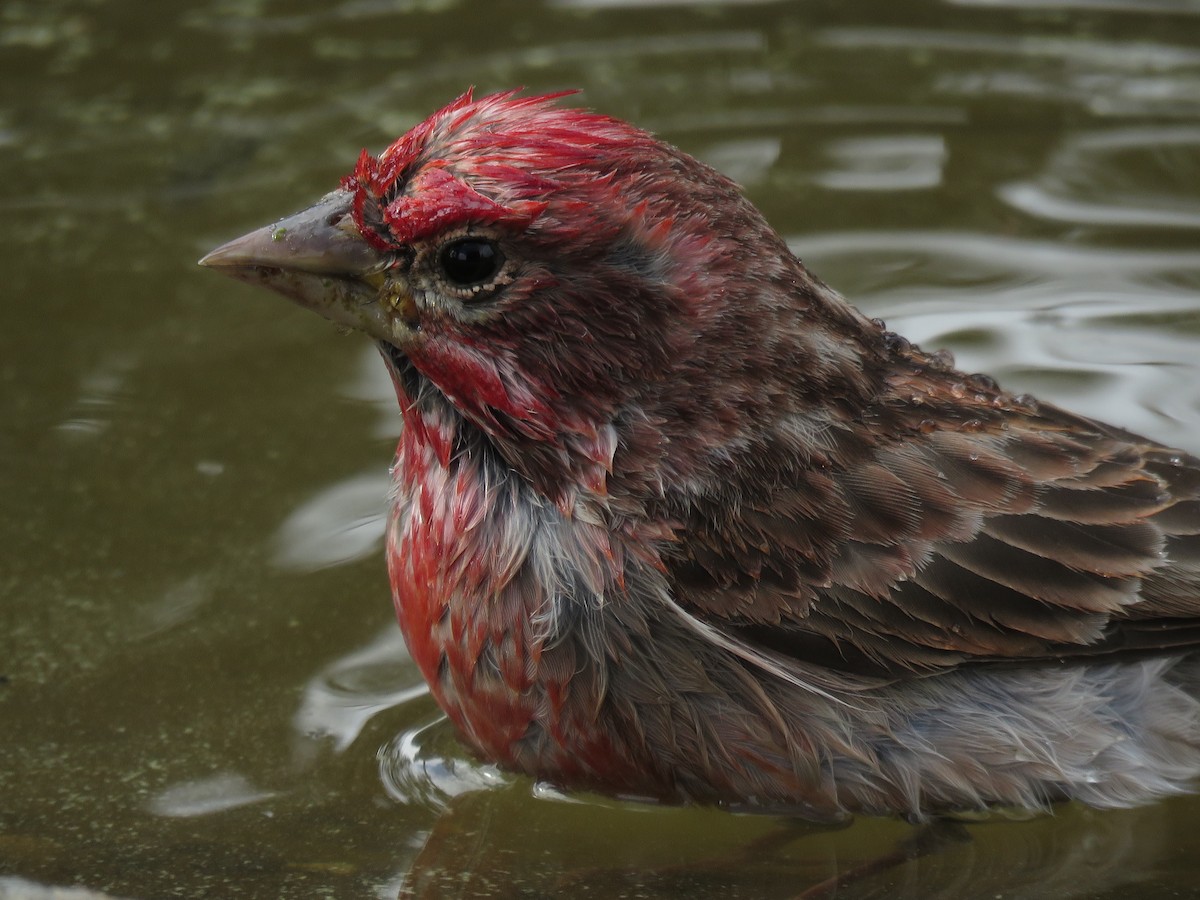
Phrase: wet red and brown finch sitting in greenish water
x=673 y=520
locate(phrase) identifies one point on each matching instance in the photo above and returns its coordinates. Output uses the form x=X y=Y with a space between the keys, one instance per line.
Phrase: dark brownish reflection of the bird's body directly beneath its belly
x=475 y=849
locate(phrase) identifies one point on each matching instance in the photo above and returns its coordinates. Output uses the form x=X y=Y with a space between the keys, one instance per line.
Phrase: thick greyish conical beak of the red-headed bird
x=320 y=260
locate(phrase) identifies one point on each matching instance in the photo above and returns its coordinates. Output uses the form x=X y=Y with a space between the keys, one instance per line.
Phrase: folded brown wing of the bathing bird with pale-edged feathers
x=1012 y=531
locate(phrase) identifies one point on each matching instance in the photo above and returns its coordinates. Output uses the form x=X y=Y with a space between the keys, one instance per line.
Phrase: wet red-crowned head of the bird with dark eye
x=603 y=309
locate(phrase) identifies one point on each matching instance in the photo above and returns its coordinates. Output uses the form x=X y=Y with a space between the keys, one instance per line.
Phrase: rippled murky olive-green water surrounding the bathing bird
x=203 y=689
